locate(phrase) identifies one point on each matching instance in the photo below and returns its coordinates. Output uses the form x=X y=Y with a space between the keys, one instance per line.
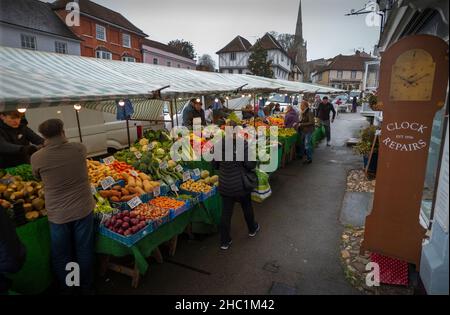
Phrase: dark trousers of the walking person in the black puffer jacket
x=227 y=213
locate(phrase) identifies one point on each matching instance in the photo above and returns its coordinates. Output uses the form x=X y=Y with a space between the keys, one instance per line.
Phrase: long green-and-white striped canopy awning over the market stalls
x=38 y=79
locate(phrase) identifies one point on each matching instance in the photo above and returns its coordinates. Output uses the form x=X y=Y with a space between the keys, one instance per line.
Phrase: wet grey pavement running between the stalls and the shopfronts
x=297 y=250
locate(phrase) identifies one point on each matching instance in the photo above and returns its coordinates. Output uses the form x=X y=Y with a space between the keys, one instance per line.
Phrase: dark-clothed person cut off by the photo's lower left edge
x=12 y=251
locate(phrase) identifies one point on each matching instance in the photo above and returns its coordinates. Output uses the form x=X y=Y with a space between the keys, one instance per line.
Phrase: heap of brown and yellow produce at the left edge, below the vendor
x=30 y=194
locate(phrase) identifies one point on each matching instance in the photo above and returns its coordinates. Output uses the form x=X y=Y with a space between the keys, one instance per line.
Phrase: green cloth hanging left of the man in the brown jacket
x=35 y=276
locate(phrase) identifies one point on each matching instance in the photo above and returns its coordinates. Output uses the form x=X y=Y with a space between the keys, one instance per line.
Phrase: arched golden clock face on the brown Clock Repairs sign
x=412 y=76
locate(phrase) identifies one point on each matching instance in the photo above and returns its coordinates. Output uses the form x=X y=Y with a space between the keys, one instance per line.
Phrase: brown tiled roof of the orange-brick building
x=100 y=12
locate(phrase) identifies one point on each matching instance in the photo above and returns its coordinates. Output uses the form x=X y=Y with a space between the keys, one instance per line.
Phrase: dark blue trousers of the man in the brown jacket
x=73 y=242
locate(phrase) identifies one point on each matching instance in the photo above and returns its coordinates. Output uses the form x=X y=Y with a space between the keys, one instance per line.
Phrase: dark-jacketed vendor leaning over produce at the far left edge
x=17 y=141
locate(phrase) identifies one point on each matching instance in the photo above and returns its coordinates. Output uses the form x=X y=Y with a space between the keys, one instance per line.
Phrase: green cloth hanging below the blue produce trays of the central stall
x=199 y=216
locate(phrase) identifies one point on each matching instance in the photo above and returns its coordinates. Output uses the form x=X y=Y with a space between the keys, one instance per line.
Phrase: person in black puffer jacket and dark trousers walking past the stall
x=232 y=190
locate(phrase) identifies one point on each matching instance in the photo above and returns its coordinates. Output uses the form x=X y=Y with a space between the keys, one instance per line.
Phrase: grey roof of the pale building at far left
x=34 y=14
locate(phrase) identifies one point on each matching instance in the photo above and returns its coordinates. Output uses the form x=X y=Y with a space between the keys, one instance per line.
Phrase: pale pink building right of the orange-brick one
x=161 y=54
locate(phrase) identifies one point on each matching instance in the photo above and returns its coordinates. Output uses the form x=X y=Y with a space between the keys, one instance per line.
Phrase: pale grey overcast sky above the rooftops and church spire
x=211 y=24
